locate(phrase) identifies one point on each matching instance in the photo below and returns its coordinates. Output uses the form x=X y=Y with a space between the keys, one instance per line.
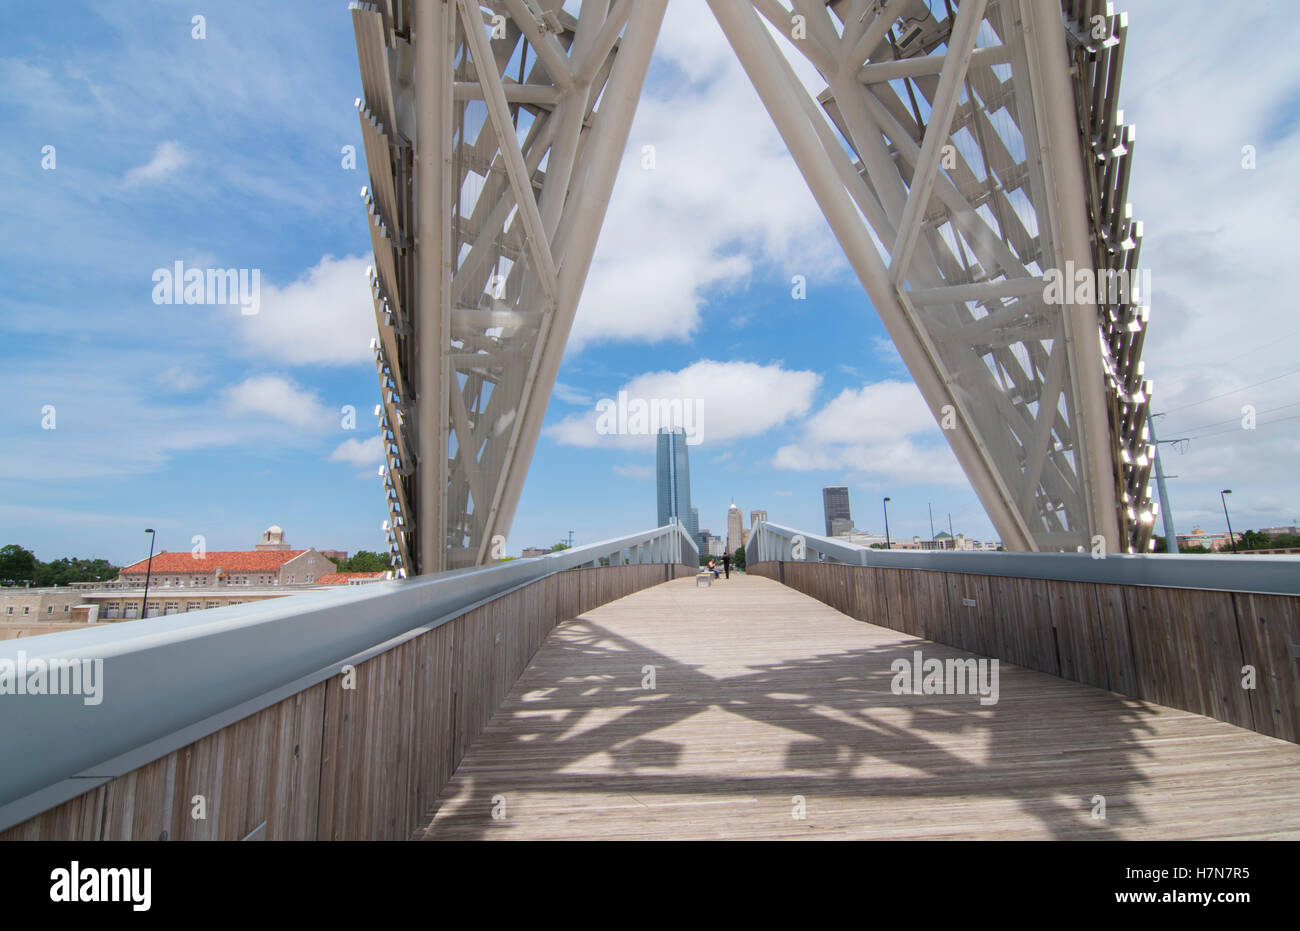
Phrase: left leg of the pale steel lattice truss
x=493 y=136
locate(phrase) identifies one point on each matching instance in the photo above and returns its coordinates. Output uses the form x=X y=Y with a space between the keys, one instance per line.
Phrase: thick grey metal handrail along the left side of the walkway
x=171 y=681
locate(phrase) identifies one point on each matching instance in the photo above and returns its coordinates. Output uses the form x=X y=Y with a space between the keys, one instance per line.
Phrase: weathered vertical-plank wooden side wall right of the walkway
x=1191 y=649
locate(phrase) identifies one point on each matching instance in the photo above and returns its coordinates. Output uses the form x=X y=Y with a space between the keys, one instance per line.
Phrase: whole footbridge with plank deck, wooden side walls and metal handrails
x=565 y=699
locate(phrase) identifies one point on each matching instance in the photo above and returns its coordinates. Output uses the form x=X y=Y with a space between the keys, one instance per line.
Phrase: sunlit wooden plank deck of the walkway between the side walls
x=765 y=696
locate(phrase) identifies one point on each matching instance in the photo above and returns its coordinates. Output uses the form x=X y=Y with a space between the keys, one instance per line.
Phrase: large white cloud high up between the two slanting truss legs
x=725 y=198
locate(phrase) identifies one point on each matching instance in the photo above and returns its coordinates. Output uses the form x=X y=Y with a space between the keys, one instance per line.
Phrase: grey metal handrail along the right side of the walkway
x=1266 y=575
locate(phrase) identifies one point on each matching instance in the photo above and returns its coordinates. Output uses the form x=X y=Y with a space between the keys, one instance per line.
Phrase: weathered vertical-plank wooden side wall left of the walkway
x=362 y=755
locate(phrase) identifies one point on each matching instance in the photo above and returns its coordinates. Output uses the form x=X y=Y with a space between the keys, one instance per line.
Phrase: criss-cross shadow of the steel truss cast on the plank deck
x=705 y=755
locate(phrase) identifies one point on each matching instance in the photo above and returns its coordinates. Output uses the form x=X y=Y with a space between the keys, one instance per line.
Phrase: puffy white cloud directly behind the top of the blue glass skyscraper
x=736 y=400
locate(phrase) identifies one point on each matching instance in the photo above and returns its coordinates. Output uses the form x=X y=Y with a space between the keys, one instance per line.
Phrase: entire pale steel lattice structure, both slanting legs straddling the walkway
x=960 y=157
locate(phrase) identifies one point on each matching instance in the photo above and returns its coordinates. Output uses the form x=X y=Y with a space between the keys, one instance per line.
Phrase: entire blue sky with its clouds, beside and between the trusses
x=227 y=153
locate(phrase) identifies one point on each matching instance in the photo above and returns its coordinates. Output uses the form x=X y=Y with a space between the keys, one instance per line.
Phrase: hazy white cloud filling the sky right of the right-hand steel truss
x=1217 y=240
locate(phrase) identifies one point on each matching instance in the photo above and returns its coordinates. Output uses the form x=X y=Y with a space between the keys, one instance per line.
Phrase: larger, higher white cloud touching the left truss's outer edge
x=326 y=318
